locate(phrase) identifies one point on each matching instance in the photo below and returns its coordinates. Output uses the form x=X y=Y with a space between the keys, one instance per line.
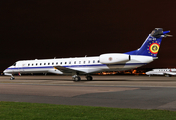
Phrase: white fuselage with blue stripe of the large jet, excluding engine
x=81 y=65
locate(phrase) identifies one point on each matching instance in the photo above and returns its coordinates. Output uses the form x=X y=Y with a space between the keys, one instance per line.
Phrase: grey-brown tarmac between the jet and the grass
x=138 y=92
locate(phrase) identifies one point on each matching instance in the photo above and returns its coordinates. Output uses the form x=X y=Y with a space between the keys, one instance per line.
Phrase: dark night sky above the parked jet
x=74 y=28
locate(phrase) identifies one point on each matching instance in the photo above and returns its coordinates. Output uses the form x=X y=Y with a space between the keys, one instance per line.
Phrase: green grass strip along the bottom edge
x=36 y=111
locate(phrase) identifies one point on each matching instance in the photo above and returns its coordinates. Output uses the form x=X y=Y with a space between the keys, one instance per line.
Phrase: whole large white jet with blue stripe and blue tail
x=87 y=65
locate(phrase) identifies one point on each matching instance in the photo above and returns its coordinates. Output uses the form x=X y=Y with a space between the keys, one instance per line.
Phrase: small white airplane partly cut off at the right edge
x=167 y=72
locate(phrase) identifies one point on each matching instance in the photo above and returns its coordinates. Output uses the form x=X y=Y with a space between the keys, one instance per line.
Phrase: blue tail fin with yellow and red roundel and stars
x=152 y=44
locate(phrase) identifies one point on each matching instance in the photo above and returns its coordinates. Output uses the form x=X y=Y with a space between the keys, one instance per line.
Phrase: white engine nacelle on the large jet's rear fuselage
x=113 y=58
